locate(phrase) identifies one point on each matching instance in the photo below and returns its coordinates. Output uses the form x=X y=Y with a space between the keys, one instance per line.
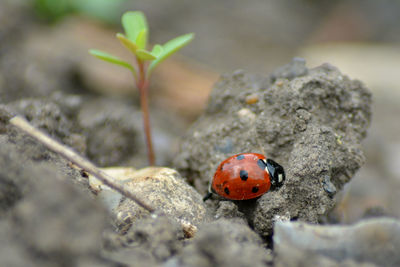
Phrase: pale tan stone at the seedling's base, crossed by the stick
x=165 y=190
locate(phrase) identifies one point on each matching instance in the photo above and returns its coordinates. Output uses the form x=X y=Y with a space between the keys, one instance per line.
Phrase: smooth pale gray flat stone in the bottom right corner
x=374 y=241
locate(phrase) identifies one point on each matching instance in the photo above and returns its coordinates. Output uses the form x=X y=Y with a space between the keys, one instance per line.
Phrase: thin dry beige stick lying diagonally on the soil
x=78 y=160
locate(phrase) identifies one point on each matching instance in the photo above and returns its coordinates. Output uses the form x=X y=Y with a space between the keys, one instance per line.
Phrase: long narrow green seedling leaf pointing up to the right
x=170 y=48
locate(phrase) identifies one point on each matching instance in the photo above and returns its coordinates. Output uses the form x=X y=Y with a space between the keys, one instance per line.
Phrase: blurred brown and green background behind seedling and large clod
x=44 y=43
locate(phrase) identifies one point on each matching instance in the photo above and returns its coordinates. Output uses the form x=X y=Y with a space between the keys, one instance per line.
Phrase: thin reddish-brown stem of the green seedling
x=142 y=85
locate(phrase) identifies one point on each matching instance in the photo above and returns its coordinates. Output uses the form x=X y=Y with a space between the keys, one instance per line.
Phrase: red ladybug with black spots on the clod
x=245 y=176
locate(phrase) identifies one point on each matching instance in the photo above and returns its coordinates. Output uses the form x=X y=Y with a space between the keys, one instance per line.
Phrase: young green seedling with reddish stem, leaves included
x=135 y=40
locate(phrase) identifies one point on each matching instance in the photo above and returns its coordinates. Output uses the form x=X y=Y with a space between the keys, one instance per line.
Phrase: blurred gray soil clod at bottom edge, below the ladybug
x=223 y=243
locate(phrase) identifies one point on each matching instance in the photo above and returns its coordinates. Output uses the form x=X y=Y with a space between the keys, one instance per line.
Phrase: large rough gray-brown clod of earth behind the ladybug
x=311 y=121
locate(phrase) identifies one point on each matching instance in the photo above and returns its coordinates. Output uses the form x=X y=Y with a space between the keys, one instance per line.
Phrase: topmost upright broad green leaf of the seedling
x=134 y=22
